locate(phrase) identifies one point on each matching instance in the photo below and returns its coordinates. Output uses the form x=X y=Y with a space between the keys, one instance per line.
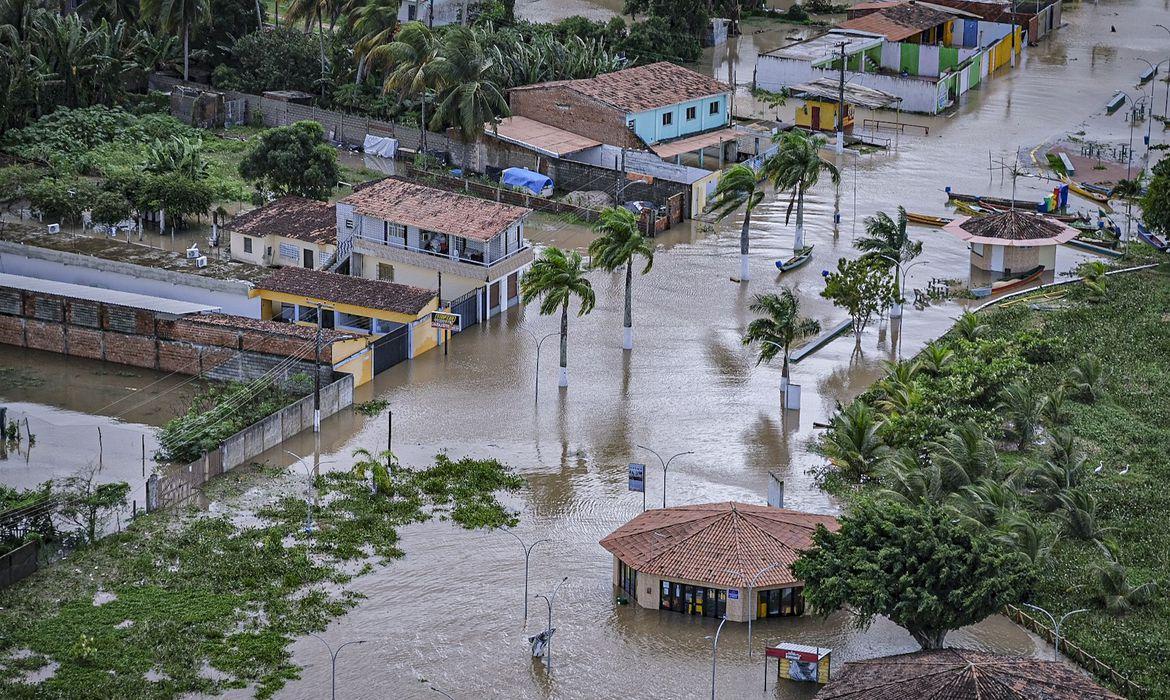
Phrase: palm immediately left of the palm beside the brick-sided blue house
x=409 y=65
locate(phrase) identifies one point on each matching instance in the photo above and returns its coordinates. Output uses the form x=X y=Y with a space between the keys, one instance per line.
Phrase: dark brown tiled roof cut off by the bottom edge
x=961 y=675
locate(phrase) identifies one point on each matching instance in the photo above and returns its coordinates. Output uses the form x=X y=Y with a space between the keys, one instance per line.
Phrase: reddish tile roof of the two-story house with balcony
x=405 y=203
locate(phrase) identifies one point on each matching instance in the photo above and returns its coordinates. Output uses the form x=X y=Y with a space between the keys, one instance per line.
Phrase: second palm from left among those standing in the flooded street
x=556 y=278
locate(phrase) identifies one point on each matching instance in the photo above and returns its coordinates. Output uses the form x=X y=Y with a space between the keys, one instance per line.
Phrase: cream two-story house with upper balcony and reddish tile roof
x=472 y=252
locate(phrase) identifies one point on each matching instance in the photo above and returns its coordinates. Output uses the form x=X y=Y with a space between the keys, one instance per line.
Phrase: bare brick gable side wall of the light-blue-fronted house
x=573 y=112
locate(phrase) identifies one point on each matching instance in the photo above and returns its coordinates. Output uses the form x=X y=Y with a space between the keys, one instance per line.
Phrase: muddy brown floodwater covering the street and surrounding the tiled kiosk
x=451 y=612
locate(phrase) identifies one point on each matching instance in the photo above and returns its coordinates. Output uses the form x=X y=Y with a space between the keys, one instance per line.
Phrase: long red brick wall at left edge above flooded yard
x=137 y=338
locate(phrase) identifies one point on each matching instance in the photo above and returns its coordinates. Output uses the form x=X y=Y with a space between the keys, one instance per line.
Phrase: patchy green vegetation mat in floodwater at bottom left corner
x=194 y=592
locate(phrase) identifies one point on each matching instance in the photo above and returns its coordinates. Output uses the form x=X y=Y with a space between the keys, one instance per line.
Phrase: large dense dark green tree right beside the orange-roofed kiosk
x=916 y=566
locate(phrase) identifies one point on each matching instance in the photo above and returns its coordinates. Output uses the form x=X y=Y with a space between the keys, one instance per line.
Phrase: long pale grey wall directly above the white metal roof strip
x=230 y=296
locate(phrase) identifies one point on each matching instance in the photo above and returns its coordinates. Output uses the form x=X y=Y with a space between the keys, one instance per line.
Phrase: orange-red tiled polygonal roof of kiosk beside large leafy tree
x=704 y=543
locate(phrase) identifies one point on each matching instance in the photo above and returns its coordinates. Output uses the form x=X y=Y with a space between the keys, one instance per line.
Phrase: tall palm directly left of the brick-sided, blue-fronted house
x=471 y=99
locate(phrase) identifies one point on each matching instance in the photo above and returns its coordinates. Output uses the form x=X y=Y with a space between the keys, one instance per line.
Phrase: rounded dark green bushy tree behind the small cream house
x=293 y=160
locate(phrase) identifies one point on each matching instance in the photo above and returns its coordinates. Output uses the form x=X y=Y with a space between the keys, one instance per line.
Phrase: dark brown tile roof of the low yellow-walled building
x=347 y=290
